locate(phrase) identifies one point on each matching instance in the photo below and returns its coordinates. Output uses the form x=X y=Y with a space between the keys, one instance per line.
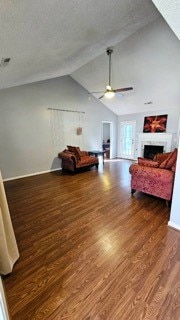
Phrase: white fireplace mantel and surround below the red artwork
x=161 y=139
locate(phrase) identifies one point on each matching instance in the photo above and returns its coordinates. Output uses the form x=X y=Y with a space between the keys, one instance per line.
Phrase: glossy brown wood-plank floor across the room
x=91 y=251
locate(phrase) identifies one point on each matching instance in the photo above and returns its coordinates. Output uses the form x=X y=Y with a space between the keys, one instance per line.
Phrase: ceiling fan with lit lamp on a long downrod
x=109 y=91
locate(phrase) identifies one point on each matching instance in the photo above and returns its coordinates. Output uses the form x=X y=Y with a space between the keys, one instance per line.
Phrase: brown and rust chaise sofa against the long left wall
x=74 y=159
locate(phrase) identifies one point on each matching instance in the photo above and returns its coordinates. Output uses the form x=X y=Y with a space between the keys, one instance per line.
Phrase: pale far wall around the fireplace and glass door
x=172 y=124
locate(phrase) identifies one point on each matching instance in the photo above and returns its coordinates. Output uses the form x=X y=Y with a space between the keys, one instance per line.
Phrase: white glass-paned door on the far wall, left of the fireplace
x=127 y=139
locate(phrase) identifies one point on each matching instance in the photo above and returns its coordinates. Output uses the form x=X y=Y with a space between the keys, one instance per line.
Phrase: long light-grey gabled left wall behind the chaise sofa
x=26 y=145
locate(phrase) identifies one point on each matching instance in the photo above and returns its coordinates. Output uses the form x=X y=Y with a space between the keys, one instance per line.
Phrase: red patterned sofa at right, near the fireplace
x=155 y=177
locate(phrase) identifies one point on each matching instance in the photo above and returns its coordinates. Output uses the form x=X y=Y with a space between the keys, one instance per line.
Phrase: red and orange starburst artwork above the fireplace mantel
x=155 y=123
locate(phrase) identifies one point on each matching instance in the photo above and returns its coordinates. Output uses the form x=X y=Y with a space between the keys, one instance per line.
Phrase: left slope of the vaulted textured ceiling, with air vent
x=51 y=38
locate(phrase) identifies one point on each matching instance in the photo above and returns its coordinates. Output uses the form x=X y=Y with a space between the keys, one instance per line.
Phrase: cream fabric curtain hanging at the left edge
x=8 y=246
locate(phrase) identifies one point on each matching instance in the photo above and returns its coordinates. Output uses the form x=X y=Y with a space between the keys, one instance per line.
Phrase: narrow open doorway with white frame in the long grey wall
x=107 y=138
